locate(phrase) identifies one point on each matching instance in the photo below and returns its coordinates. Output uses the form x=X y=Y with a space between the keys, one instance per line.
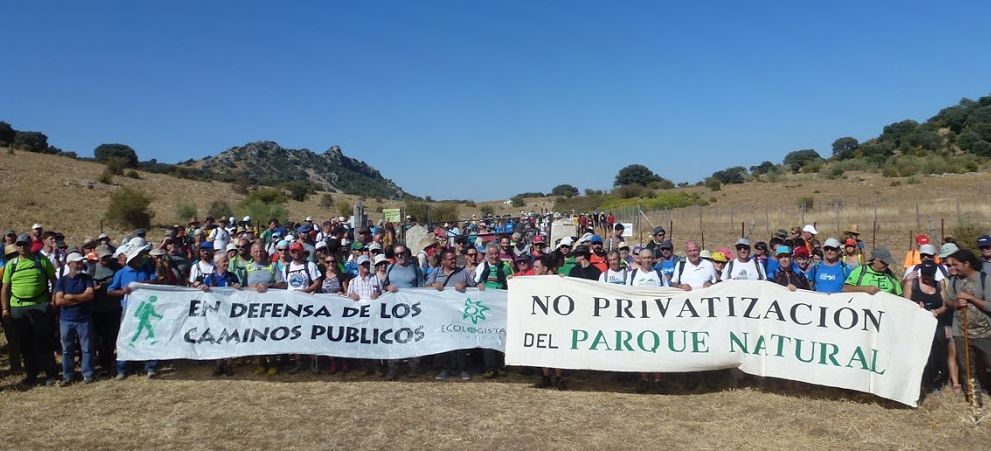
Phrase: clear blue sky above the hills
x=483 y=100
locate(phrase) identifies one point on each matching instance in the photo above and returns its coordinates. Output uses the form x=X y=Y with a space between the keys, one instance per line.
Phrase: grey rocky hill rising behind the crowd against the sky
x=268 y=163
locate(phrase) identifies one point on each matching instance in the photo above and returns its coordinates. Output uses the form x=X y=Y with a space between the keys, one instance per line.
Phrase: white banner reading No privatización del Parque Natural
x=877 y=344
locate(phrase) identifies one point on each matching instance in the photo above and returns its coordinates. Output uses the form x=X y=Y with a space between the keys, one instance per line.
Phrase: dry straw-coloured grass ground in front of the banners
x=188 y=409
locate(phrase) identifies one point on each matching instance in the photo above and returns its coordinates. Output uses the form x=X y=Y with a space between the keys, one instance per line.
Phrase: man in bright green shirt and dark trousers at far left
x=25 y=301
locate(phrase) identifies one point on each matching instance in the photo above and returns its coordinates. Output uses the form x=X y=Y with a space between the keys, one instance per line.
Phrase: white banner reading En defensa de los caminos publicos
x=163 y=322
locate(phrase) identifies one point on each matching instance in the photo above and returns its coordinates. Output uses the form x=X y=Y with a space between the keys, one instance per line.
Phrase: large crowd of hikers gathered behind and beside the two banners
x=75 y=295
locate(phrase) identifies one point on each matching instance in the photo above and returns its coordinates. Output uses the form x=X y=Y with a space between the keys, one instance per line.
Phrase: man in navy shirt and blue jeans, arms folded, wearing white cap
x=73 y=294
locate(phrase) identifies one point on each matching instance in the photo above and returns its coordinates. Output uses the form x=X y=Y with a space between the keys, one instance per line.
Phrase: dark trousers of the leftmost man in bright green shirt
x=33 y=326
